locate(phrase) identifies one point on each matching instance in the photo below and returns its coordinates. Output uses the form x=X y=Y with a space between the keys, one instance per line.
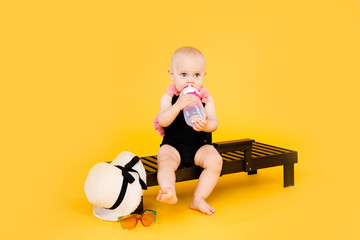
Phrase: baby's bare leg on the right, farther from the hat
x=210 y=160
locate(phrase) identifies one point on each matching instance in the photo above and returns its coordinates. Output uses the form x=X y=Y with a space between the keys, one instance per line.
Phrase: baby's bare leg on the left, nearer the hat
x=168 y=160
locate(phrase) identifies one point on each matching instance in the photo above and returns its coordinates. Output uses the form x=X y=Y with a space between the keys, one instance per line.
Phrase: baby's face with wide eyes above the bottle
x=188 y=69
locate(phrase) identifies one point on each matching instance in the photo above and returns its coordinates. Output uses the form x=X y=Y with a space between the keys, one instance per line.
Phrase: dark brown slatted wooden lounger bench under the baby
x=244 y=155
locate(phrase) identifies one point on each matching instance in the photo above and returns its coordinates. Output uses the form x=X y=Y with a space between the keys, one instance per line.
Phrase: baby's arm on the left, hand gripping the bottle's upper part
x=168 y=112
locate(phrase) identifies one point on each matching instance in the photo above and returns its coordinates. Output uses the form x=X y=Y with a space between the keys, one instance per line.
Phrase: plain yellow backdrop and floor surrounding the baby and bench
x=81 y=81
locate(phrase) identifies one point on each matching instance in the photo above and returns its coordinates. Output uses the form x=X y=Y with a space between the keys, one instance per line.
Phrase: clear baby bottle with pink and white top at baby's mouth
x=193 y=111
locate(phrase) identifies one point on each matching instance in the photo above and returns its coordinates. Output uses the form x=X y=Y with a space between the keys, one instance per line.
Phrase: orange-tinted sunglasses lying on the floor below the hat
x=147 y=218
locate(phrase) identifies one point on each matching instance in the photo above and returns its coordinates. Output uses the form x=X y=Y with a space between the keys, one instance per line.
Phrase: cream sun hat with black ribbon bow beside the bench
x=115 y=189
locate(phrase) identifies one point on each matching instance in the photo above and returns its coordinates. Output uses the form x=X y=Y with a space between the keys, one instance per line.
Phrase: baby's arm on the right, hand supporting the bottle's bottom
x=211 y=123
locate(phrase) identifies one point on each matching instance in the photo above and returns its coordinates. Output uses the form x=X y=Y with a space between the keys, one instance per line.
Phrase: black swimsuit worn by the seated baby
x=183 y=138
